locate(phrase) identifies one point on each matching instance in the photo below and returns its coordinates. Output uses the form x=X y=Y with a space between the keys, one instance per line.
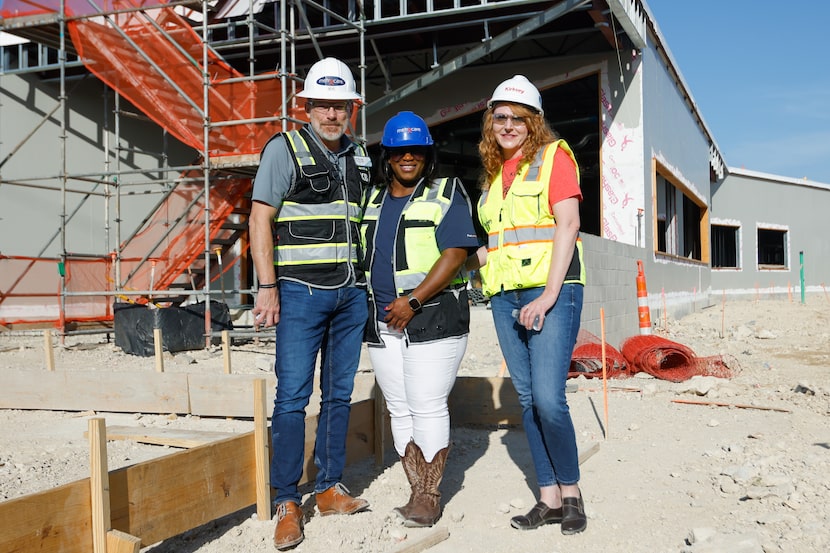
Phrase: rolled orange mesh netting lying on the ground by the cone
x=668 y=360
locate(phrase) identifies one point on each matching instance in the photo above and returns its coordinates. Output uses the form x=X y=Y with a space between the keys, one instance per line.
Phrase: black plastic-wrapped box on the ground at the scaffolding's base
x=182 y=328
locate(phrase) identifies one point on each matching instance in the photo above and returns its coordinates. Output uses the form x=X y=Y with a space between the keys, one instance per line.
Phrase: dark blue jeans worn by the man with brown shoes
x=314 y=320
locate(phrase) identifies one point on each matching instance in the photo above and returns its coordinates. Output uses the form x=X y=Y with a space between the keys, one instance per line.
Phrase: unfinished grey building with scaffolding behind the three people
x=130 y=132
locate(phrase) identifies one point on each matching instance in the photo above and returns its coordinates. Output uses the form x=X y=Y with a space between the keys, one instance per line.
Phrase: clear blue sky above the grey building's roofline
x=760 y=73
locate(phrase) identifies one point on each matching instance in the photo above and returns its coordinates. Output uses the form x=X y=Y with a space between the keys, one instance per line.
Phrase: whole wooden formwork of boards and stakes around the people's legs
x=119 y=511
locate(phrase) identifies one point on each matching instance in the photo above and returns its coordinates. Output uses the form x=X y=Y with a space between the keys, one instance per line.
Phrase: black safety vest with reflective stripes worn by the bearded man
x=317 y=225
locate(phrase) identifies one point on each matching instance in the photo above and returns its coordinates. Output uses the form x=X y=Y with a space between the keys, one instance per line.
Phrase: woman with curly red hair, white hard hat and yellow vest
x=534 y=275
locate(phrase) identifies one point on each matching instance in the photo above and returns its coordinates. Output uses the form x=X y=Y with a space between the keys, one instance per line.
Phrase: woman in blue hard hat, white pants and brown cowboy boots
x=417 y=232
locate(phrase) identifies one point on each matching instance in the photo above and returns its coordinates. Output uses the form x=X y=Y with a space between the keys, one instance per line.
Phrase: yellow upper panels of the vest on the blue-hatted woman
x=416 y=249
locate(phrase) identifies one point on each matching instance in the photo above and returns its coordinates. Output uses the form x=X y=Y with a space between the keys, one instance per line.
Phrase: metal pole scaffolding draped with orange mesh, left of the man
x=154 y=55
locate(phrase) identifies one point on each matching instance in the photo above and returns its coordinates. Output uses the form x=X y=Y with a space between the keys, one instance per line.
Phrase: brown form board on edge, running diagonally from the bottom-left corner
x=159 y=498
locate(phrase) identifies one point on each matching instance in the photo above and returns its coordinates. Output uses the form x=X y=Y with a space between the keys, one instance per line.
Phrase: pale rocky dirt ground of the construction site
x=749 y=476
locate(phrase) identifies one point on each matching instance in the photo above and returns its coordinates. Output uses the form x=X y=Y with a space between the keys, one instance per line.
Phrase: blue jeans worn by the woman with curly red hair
x=538 y=363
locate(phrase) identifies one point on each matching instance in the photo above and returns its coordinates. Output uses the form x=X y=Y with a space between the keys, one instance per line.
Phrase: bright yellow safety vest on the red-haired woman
x=520 y=228
